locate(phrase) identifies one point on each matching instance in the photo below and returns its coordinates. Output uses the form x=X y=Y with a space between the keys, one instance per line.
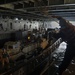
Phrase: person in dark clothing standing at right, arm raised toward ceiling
x=67 y=33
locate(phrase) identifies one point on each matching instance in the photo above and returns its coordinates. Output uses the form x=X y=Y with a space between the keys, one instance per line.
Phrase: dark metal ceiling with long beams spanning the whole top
x=37 y=9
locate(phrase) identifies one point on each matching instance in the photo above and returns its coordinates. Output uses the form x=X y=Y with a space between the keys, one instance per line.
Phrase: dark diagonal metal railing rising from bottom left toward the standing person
x=26 y=67
